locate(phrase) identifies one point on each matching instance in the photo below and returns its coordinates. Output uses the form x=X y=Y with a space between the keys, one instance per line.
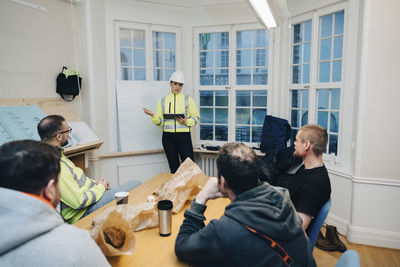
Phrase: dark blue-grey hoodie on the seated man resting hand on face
x=226 y=242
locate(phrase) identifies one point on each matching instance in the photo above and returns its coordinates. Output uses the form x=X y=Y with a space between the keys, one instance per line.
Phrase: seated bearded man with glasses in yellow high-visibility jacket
x=80 y=195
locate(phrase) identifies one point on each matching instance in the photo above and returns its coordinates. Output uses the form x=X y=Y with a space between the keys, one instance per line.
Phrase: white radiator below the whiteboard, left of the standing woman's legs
x=141 y=171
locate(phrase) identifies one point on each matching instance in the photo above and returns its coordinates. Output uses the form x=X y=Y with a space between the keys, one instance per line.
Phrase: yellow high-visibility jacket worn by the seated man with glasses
x=77 y=191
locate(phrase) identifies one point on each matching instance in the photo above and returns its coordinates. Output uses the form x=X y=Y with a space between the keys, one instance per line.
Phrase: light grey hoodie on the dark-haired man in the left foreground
x=33 y=234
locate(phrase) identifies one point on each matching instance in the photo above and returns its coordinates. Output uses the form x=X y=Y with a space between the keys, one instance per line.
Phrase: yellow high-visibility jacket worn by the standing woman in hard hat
x=178 y=104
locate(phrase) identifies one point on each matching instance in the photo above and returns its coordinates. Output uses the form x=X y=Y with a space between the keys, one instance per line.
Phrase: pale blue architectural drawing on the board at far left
x=19 y=122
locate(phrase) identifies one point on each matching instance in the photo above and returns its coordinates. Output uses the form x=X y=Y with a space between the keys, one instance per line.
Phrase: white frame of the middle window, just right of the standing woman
x=232 y=87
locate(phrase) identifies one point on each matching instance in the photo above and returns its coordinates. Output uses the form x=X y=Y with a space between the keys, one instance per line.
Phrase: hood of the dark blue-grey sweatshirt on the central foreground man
x=268 y=210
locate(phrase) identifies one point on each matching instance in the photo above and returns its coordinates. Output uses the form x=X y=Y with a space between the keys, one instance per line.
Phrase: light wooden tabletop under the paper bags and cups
x=151 y=248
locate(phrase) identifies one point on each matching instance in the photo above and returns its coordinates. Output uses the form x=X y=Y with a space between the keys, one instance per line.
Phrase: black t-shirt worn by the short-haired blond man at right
x=309 y=189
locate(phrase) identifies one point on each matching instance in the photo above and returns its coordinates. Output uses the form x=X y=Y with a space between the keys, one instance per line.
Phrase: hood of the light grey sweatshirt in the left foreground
x=23 y=218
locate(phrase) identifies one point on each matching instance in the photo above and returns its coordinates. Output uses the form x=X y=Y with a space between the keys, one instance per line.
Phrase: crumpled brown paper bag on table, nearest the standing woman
x=184 y=185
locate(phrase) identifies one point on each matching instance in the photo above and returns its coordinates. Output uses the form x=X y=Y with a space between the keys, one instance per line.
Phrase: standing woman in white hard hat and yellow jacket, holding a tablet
x=176 y=138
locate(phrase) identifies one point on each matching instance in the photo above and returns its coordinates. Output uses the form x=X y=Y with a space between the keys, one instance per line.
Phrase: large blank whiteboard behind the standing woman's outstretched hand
x=136 y=132
